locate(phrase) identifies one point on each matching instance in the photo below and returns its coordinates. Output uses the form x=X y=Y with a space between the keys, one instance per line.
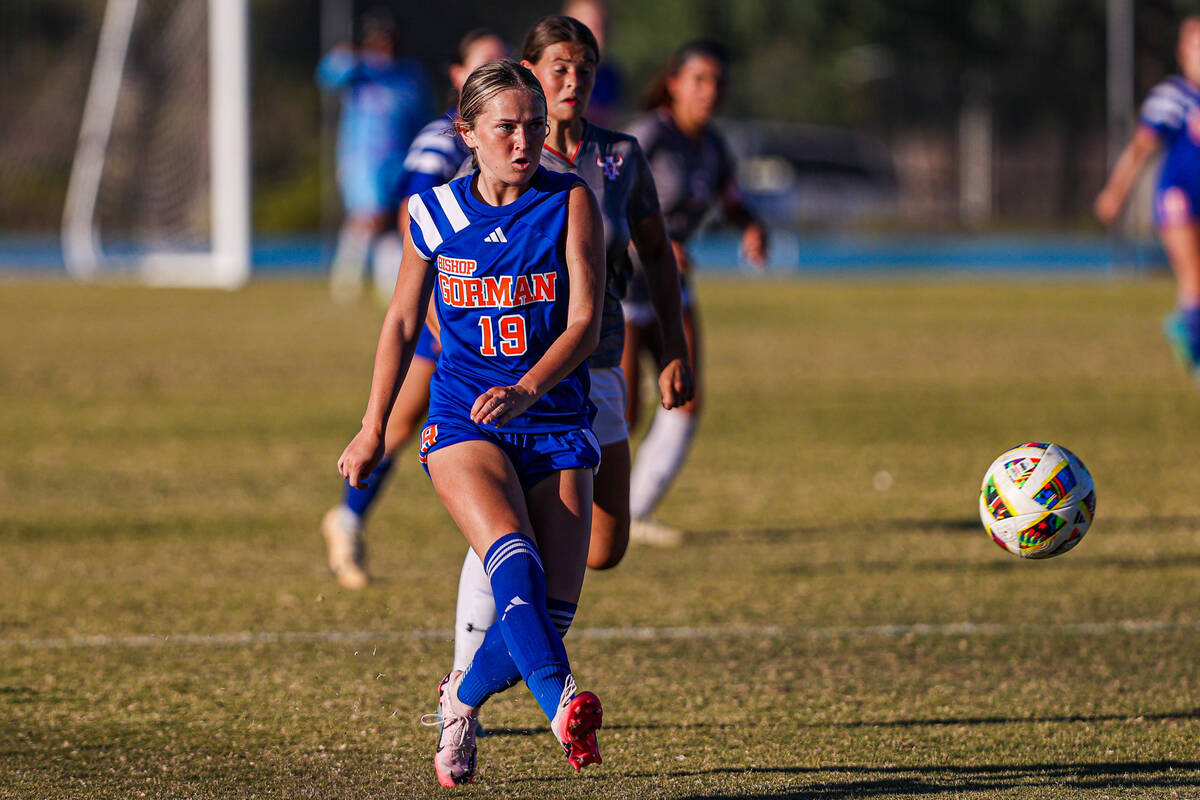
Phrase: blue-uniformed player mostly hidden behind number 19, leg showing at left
x=434 y=159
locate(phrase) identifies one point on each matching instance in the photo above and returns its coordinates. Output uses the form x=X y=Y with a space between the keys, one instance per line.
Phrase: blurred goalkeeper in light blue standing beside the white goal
x=385 y=101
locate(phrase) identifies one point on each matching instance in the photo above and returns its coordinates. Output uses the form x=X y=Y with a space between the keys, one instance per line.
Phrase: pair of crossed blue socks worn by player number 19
x=533 y=643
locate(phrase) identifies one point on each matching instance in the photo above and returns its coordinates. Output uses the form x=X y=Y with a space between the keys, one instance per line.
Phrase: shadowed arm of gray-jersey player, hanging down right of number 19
x=657 y=254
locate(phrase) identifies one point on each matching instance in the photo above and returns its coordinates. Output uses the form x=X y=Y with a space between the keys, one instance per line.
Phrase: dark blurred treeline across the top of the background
x=883 y=67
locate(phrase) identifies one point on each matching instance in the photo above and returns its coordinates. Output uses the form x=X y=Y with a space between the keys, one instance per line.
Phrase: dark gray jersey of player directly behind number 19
x=617 y=172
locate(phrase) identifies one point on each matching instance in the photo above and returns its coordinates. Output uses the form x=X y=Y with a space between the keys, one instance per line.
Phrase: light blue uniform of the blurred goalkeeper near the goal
x=385 y=103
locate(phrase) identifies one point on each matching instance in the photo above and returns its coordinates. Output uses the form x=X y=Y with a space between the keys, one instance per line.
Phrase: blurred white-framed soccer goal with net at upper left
x=160 y=183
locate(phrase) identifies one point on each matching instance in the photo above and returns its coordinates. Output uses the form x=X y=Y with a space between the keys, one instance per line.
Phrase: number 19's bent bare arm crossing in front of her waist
x=584 y=252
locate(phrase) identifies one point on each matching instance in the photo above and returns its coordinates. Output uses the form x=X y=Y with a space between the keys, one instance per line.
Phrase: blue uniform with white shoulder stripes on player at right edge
x=1173 y=111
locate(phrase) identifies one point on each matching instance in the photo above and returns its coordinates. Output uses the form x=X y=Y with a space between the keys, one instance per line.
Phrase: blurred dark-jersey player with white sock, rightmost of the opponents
x=694 y=172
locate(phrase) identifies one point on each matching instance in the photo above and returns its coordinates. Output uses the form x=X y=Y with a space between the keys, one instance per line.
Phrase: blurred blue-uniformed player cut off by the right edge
x=1171 y=119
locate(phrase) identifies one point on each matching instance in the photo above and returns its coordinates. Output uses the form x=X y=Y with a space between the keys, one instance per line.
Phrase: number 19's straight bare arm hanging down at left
x=398 y=341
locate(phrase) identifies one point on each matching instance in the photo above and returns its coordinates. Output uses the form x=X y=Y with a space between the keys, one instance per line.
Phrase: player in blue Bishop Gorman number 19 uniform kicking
x=514 y=258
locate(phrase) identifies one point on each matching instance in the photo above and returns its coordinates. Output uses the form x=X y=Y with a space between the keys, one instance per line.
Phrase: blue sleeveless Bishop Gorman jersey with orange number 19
x=502 y=296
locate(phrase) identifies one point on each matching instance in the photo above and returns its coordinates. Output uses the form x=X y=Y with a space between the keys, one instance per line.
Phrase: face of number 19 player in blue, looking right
x=508 y=136
